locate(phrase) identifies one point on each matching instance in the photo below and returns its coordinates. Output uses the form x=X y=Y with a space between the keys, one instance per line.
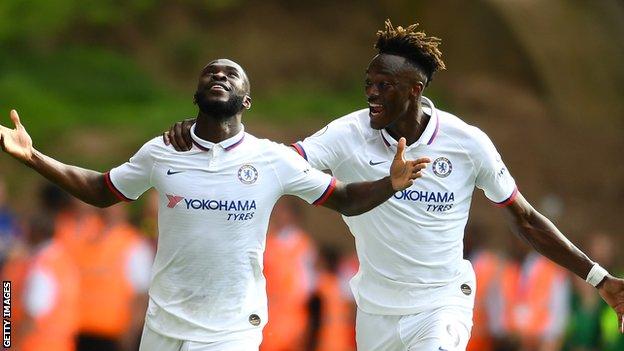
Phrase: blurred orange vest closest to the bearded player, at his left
x=106 y=295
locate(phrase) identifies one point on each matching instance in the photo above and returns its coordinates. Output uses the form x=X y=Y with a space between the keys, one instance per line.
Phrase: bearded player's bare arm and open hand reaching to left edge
x=87 y=185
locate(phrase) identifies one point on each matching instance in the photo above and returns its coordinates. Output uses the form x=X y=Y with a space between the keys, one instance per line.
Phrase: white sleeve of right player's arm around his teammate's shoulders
x=324 y=149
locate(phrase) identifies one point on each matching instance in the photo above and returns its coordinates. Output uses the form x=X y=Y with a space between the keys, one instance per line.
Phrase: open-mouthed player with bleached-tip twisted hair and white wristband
x=414 y=290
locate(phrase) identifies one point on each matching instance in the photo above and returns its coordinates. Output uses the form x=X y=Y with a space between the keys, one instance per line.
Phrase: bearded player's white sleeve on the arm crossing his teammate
x=298 y=178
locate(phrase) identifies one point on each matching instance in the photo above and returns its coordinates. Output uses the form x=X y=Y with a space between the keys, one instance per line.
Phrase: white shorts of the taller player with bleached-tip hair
x=445 y=328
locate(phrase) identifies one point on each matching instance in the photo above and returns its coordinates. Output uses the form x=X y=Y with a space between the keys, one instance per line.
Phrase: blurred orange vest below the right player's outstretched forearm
x=527 y=297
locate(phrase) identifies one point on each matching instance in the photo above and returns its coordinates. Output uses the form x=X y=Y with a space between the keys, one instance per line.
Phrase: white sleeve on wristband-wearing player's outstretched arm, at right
x=493 y=177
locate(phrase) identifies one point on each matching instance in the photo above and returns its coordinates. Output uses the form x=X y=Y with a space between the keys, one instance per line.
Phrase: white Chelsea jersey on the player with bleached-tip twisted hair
x=410 y=248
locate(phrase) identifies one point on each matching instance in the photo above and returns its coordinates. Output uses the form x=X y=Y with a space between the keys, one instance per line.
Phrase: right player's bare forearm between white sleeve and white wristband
x=542 y=234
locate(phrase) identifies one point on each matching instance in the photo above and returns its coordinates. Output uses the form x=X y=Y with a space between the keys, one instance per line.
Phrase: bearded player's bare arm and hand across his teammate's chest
x=356 y=198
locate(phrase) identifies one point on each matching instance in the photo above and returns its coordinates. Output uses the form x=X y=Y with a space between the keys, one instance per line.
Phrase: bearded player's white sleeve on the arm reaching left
x=132 y=178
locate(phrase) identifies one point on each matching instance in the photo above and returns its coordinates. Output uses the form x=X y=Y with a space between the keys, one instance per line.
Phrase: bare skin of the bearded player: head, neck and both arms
x=219 y=82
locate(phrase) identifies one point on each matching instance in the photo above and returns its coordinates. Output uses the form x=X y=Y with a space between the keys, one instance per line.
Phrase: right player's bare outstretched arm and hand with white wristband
x=542 y=234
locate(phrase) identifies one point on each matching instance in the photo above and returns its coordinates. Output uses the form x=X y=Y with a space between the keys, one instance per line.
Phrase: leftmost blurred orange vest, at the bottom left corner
x=56 y=329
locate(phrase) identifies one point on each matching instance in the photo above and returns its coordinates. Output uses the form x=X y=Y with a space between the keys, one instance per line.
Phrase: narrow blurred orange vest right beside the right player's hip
x=488 y=269
